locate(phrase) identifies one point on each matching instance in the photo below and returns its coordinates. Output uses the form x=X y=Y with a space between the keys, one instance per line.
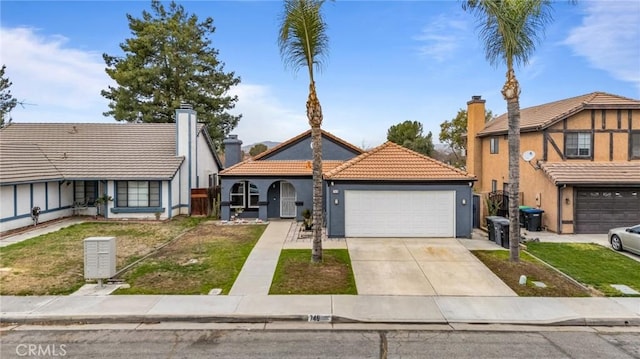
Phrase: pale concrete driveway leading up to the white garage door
x=420 y=266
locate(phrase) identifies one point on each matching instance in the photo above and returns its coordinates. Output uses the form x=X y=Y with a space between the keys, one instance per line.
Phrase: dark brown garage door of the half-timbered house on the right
x=600 y=209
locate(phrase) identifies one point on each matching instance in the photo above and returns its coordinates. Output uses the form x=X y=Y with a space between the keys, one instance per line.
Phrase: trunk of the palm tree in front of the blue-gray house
x=314 y=114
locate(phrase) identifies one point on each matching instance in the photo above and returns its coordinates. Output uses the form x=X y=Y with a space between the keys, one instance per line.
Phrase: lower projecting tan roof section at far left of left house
x=26 y=163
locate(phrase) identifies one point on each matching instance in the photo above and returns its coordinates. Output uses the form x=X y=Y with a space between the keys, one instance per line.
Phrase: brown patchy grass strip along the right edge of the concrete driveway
x=557 y=285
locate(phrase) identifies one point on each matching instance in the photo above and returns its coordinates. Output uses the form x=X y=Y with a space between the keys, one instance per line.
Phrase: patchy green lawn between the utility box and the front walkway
x=209 y=257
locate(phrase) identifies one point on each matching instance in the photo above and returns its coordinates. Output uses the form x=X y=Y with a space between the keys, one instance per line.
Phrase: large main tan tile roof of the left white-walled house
x=96 y=150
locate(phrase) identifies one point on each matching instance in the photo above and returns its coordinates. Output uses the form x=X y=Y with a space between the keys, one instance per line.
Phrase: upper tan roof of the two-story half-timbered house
x=542 y=116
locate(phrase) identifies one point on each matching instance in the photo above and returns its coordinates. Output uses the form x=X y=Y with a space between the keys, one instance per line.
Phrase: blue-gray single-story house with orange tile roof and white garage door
x=389 y=191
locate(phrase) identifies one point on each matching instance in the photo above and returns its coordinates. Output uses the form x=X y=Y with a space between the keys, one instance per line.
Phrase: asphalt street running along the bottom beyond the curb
x=163 y=342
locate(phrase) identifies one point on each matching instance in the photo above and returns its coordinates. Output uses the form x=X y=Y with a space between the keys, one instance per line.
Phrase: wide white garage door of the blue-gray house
x=400 y=213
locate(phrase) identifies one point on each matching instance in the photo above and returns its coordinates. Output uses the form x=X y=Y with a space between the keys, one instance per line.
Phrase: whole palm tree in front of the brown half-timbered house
x=510 y=30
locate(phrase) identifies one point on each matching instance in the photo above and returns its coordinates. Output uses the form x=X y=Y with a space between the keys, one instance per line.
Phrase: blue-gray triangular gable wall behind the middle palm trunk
x=301 y=150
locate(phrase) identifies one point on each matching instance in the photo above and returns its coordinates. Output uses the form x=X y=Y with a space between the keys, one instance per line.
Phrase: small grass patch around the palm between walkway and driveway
x=296 y=274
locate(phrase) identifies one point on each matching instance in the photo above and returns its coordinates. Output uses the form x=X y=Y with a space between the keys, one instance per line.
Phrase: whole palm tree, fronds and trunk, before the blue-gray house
x=303 y=42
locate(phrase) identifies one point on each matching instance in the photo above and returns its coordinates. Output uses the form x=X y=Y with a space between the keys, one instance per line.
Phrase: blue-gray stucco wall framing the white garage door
x=336 y=212
